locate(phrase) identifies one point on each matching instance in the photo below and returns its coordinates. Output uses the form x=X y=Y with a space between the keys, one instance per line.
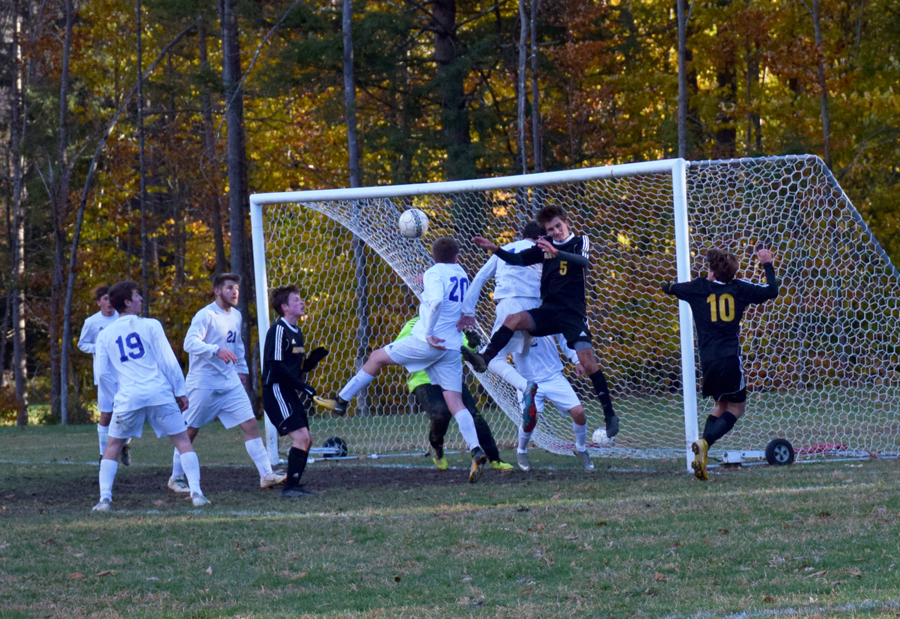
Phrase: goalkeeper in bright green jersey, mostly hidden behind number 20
x=431 y=398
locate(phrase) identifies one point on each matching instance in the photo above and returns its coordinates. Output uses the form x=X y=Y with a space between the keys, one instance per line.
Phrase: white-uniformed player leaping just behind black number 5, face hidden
x=516 y=289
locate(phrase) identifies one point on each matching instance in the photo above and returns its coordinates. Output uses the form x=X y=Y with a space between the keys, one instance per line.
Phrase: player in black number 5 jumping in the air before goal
x=564 y=259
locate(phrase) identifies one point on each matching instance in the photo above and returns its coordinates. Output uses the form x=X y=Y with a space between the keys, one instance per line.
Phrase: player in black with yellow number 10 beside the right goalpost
x=718 y=302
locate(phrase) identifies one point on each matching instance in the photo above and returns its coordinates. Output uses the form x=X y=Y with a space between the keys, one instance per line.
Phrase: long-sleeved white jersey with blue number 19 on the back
x=135 y=354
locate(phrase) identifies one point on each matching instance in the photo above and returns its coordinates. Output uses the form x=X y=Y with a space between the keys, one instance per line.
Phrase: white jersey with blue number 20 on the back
x=445 y=288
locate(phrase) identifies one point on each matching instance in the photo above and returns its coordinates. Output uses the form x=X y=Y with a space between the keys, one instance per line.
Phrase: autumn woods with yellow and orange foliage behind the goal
x=133 y=132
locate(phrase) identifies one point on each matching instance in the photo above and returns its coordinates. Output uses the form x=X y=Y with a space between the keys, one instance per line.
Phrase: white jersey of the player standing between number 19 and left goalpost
x=212 y=329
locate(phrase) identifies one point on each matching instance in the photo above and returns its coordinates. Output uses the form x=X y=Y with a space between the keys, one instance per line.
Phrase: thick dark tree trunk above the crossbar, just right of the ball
x=451 y=78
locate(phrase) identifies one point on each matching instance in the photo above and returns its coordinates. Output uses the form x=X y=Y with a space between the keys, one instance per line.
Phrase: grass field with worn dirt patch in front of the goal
x=635 y=538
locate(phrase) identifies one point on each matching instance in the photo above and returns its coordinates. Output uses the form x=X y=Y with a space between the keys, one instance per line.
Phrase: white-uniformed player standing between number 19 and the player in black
x=216 y=379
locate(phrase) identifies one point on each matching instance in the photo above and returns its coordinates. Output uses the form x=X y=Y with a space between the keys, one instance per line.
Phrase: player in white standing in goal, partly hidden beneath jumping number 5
x=542 y=365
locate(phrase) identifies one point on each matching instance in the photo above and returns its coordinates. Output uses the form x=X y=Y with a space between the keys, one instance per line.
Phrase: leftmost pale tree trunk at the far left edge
x=17 y=138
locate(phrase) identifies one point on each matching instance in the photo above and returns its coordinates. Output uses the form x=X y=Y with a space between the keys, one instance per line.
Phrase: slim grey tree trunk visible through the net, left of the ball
x=359 y=248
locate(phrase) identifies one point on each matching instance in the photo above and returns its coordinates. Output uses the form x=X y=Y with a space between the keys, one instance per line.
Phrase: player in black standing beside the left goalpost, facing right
x=285 y=365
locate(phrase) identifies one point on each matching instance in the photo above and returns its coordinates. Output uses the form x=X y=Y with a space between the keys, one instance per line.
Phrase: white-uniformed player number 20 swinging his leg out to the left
x=433 y=345
